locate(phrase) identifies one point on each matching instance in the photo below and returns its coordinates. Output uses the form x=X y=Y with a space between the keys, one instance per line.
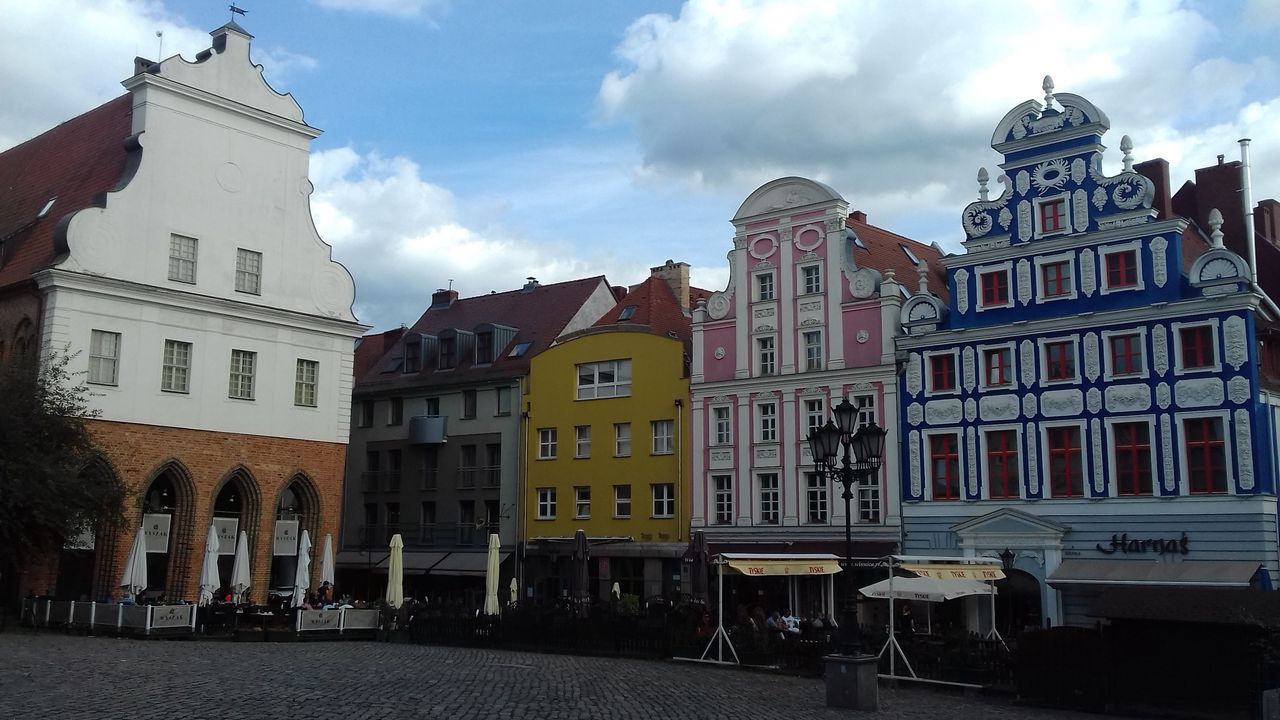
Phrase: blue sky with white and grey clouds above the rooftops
x=472 y=145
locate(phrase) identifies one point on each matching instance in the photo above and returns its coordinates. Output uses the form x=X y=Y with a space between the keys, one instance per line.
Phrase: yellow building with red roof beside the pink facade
x=607 y=448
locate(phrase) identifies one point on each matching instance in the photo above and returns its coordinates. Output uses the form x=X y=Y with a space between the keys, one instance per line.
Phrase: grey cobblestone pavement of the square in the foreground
x=67 y=677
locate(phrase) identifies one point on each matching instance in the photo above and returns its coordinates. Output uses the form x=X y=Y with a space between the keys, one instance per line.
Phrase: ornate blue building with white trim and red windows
x=1087 y=403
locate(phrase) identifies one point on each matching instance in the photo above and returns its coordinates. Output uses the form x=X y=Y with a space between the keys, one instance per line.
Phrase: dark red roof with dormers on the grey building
x=538 y=316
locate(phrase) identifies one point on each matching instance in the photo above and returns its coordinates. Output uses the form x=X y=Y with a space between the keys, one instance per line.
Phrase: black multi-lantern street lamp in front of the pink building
x=863 y=453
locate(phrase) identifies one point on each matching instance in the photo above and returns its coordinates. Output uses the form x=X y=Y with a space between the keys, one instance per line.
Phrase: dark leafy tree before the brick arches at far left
x=53 y=481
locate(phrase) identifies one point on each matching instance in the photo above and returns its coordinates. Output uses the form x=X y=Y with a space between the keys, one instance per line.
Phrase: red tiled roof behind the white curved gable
x=76 y=162
